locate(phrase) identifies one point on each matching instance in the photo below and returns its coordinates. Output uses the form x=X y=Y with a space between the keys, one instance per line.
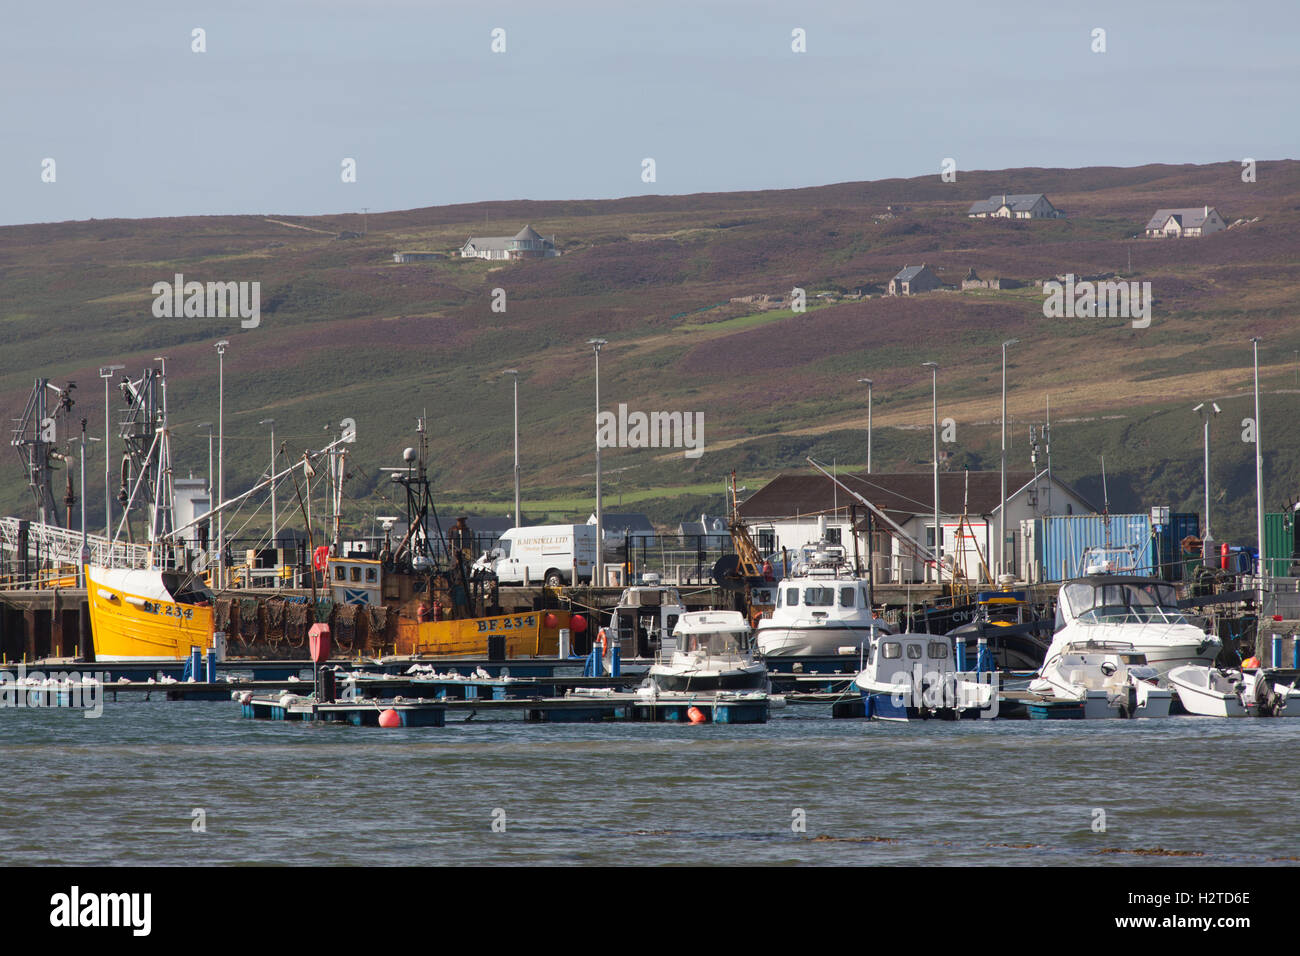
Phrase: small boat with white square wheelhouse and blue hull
x=912 y=676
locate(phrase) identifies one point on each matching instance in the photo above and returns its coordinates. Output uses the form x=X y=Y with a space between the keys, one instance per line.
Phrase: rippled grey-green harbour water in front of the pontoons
x=133 y=786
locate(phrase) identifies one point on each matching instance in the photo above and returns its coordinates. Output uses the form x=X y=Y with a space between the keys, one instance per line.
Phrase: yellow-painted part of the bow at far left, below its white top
x=141 y=628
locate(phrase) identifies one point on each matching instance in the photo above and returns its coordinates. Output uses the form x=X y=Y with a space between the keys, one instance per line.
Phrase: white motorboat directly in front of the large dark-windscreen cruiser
x=1108 y=681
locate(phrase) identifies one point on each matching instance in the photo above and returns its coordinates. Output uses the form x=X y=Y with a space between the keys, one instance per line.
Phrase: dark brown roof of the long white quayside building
x=899 y=495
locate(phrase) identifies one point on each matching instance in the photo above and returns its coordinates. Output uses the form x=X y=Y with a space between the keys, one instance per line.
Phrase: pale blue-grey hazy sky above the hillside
x=140 y=126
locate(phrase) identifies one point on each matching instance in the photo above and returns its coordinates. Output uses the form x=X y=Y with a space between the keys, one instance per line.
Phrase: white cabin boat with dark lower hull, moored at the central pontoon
x=713 y=654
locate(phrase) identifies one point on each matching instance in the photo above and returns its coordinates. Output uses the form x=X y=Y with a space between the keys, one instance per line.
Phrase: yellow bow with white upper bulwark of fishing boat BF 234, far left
x=148 y=615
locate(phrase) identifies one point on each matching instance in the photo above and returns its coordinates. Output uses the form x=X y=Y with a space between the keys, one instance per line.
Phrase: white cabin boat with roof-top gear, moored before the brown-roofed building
x=821 y=609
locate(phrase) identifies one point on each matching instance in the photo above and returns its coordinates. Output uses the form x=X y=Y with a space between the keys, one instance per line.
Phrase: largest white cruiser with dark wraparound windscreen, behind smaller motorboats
x=1139 y=615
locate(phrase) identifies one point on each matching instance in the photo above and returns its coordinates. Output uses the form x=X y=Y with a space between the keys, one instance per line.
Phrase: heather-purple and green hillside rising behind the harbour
x=349 y=334
